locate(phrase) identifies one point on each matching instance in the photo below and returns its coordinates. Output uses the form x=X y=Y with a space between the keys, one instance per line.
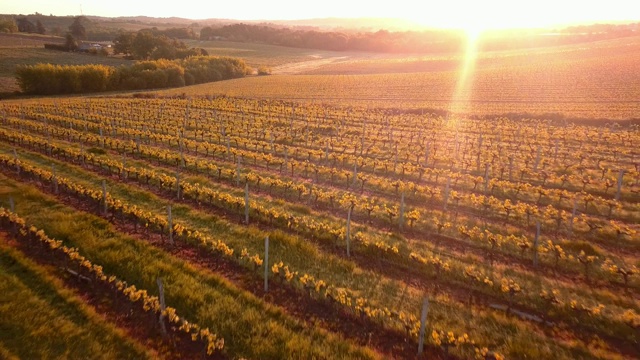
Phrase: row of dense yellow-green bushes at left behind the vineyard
x=48 y=79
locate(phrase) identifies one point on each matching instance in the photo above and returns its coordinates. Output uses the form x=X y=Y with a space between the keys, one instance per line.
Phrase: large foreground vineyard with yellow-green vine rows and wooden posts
x=264 y=229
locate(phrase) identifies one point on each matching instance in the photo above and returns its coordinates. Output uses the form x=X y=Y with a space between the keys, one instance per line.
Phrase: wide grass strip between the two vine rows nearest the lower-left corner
x=250 y=327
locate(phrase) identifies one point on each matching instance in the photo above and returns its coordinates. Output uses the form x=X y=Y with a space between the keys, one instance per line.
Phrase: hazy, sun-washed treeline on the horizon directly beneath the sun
x=430 y=41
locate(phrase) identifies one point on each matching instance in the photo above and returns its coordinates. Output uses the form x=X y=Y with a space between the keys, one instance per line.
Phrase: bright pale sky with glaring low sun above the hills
x=478 y=14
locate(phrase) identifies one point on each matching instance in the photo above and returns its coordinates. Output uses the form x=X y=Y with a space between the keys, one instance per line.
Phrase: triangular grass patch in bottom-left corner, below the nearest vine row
x=42 y=319
